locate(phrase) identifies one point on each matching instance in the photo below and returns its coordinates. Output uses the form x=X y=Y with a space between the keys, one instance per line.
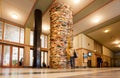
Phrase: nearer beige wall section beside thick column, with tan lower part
x=83 y=44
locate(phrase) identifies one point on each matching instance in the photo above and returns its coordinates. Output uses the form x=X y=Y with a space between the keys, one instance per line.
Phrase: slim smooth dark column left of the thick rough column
x=37 y=41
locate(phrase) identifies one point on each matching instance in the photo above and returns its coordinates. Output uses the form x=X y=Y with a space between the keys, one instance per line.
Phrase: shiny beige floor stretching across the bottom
x=60 y=73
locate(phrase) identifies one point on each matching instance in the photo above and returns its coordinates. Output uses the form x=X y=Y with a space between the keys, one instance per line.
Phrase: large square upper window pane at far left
x=11 y=33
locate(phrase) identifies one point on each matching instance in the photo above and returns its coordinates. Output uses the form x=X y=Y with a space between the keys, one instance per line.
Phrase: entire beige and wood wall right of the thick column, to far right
x=84 y=44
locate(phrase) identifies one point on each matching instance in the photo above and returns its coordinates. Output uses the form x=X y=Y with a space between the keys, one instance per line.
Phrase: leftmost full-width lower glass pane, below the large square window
x=6 y=56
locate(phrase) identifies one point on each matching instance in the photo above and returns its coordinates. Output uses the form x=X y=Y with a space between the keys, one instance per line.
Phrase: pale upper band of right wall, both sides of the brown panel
x=82 y=41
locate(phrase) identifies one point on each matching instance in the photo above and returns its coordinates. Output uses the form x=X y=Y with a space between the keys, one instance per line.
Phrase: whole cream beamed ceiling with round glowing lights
x=90 y=17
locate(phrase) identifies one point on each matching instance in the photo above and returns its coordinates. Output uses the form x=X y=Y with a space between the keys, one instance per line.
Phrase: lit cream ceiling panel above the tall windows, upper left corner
x=16 y=10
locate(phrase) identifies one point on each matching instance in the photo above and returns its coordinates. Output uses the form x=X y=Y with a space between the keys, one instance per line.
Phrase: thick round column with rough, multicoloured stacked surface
x=61 y=29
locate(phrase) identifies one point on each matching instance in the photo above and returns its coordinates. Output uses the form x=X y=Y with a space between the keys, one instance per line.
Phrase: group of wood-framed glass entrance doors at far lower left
x=11 y=56
